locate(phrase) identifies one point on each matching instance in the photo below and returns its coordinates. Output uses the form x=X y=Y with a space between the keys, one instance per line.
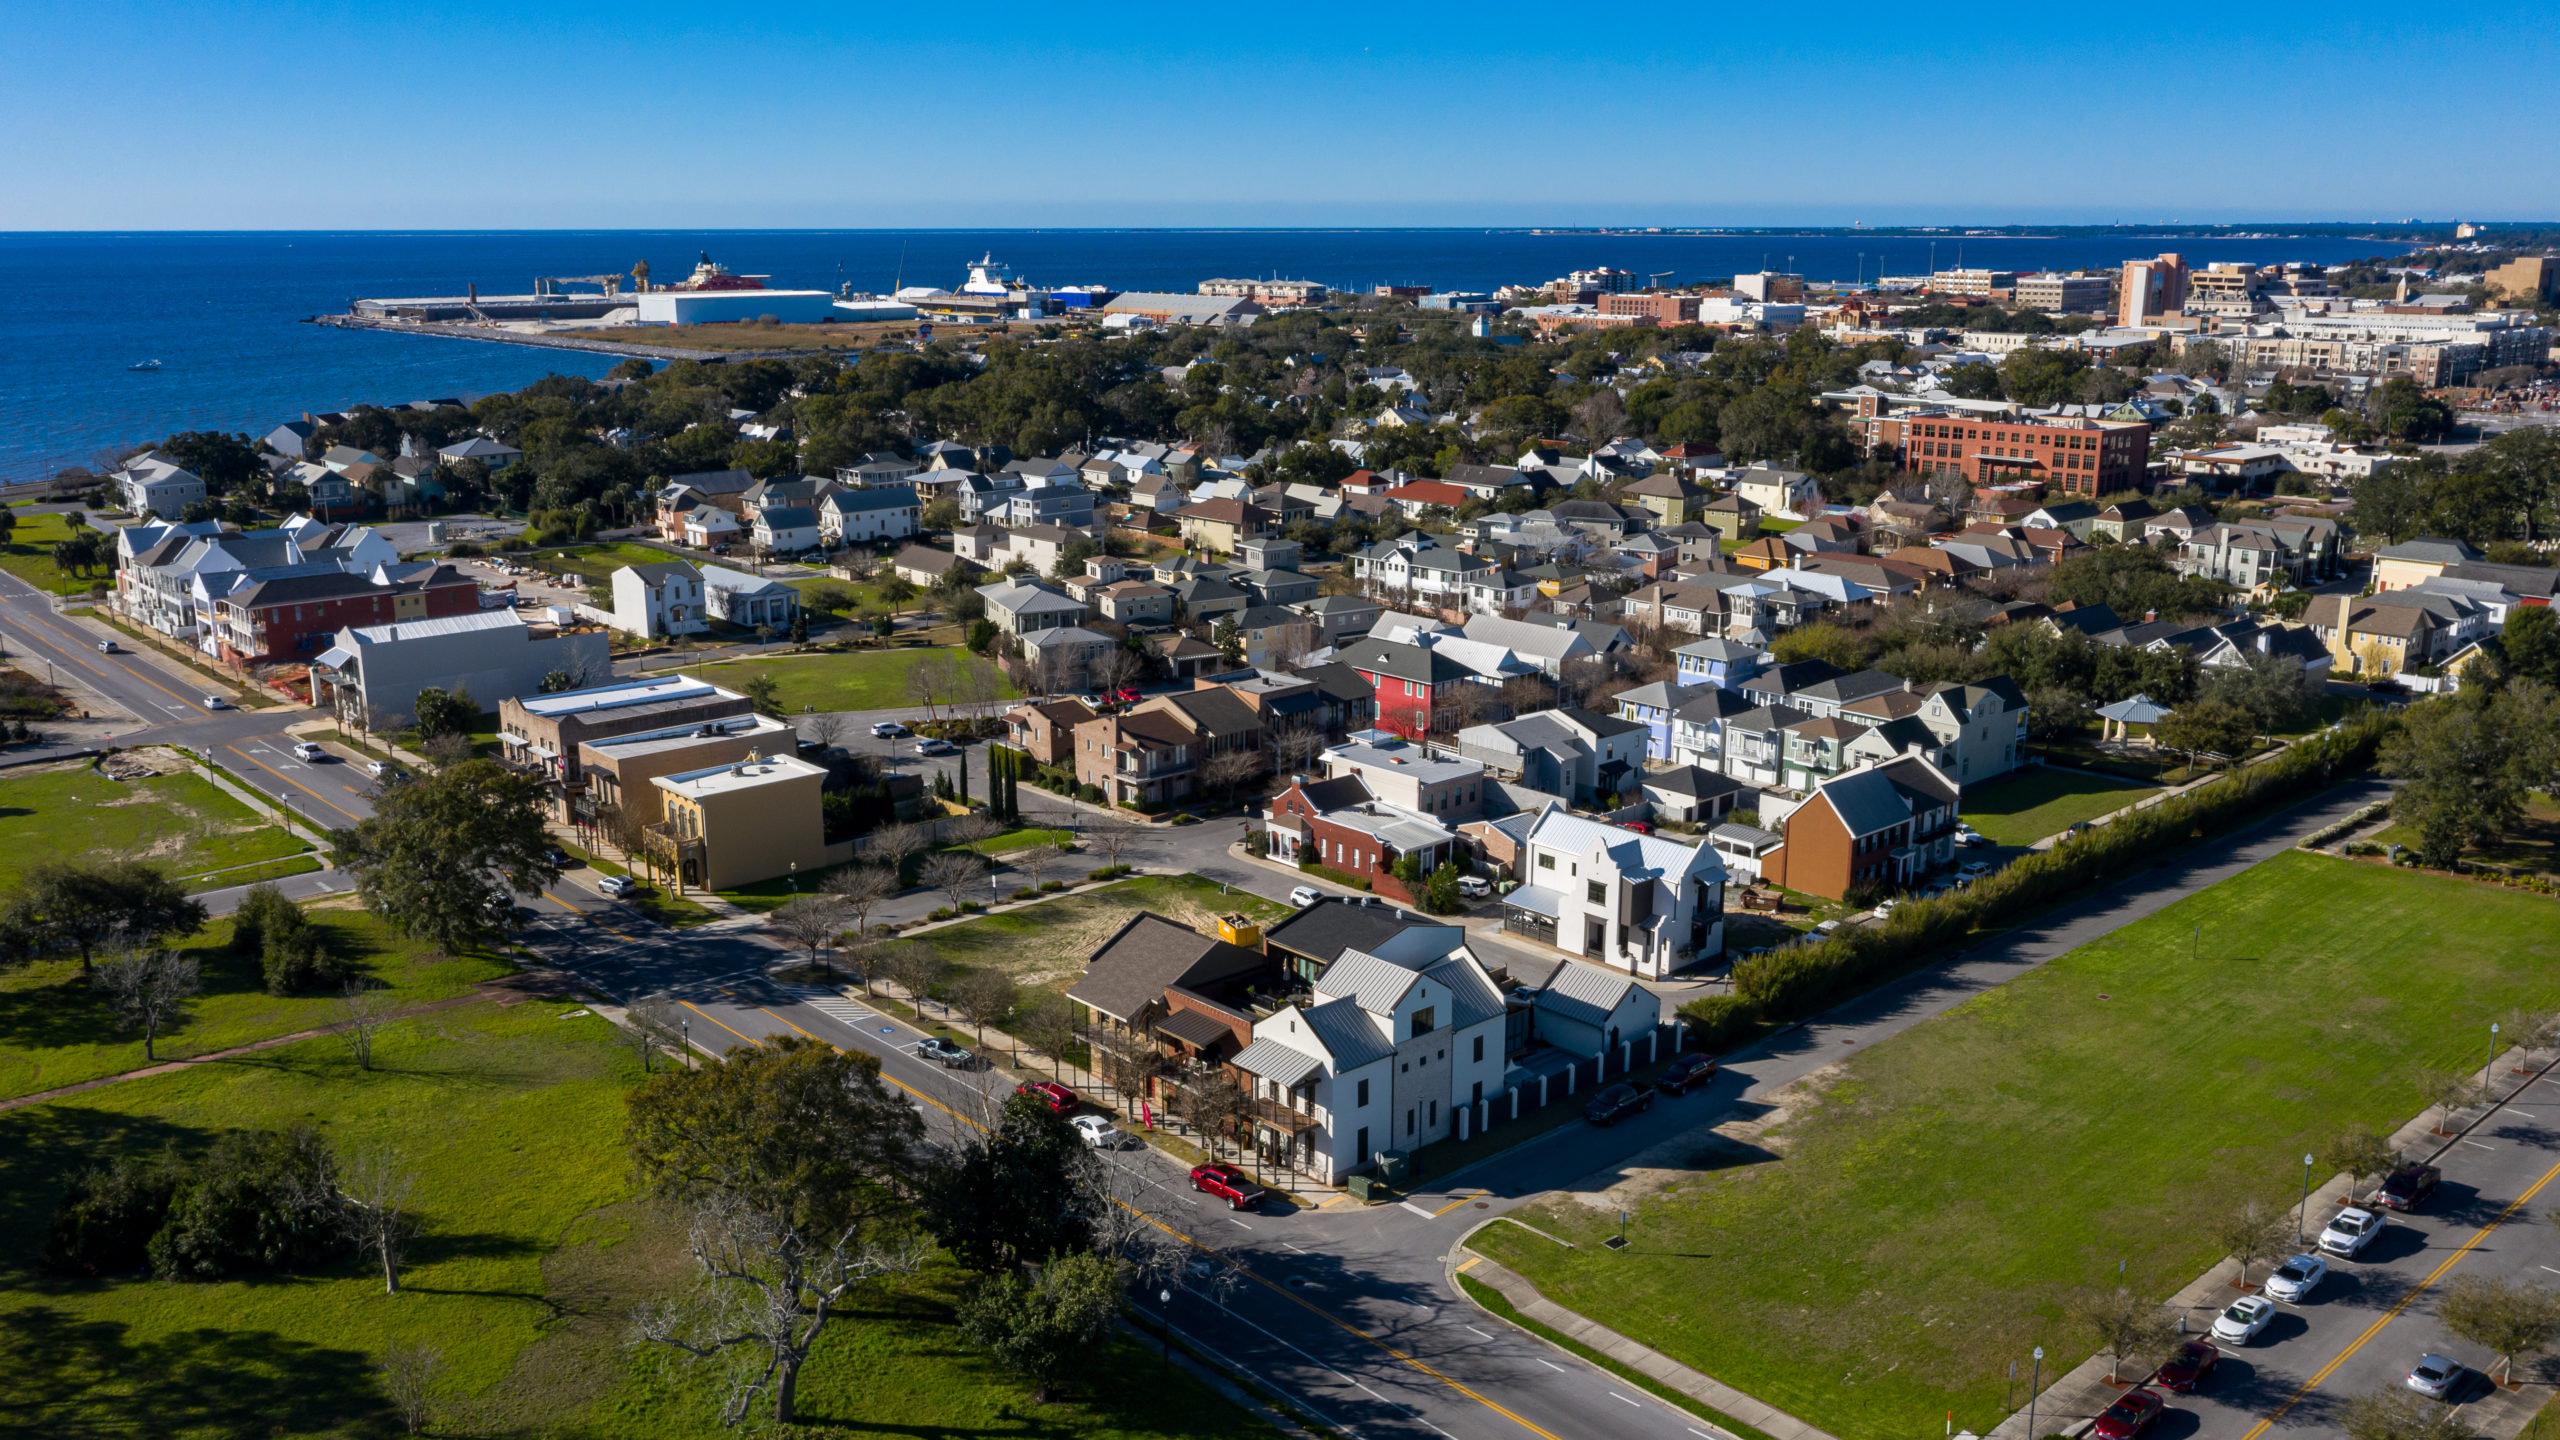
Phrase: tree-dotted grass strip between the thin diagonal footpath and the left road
x=58 y=1031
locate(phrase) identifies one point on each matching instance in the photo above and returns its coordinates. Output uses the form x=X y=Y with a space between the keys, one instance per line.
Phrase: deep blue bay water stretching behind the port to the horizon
x=224 y=311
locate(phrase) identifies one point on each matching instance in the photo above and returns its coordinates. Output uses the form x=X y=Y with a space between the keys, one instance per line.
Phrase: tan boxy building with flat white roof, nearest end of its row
x=744 y=821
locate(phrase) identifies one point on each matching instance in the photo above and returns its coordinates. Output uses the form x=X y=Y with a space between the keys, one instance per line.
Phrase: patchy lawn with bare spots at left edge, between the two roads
x=175 y=821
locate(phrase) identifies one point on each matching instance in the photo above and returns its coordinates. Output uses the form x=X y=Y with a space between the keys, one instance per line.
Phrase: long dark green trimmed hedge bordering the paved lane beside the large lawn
x=1806 y=980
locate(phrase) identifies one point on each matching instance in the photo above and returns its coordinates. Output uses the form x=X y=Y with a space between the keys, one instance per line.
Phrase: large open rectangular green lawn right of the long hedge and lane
x=1921 y=1221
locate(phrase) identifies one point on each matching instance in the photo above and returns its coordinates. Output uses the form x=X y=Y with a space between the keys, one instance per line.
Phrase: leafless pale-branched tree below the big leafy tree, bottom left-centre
x=767 y=1293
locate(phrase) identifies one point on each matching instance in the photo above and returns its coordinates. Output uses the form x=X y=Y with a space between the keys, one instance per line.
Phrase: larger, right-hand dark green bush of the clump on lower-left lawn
x=260 y=1200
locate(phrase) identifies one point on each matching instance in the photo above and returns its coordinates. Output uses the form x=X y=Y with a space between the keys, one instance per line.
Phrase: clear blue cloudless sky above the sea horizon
x=782 y=114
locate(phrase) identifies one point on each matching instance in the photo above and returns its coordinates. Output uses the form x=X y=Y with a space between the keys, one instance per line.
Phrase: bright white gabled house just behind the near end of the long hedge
x=1619 y=898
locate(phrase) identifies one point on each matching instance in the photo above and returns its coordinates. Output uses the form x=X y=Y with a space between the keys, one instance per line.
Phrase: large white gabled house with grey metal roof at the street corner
x=1381 y=1057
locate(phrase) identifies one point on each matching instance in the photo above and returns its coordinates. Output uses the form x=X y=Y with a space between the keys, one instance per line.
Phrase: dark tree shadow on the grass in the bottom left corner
x=88 y=1377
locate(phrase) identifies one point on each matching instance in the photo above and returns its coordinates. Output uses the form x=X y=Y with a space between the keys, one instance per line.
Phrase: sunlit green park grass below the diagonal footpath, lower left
x=531 y=1259
